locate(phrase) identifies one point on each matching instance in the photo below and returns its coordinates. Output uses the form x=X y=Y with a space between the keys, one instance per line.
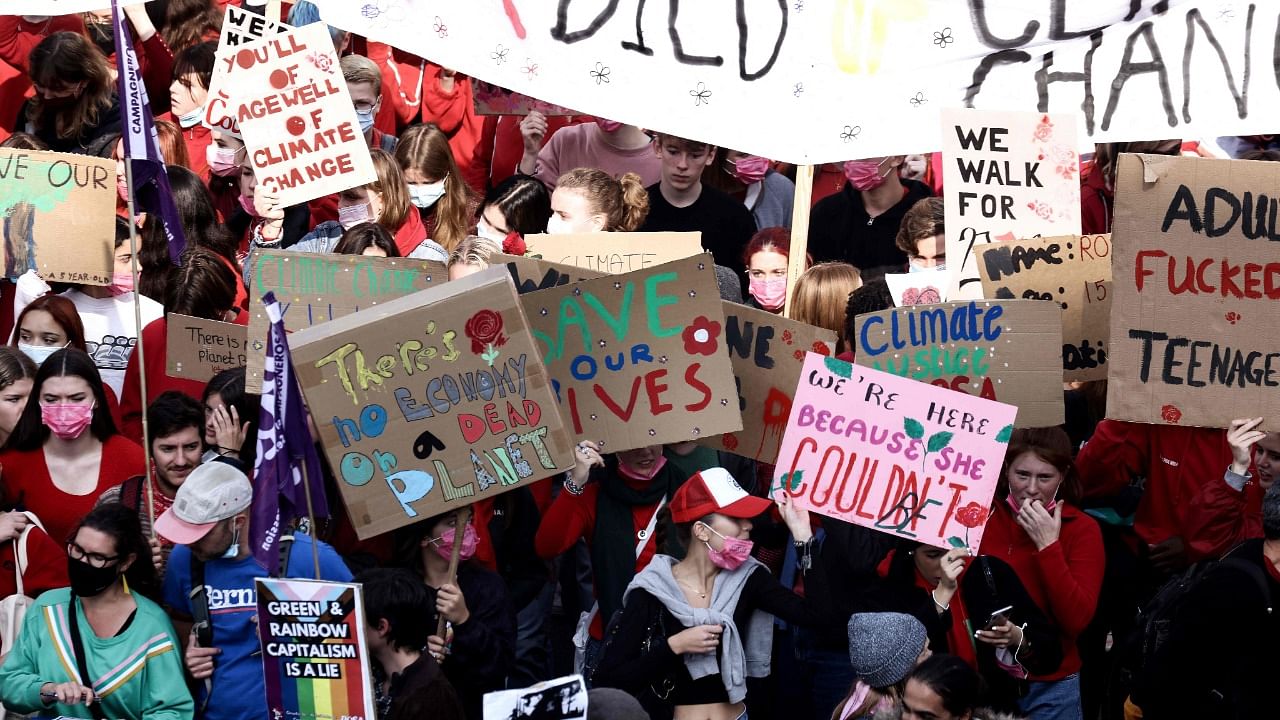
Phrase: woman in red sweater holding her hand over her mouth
x=1057 y=552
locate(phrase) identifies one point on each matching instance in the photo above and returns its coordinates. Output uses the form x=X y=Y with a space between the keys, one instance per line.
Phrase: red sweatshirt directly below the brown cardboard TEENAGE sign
x=1178 y=464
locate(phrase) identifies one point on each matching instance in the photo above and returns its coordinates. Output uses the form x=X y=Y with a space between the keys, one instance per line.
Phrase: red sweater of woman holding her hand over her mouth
x=1064 y=580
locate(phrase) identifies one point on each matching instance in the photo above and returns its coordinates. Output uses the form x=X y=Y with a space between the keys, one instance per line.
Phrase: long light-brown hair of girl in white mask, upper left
x=426 y=149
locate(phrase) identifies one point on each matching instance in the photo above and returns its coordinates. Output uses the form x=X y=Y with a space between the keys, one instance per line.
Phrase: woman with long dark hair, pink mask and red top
x=66 y=449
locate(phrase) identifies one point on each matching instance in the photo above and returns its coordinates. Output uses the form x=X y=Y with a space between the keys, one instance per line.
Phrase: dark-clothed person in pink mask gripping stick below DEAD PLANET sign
x=481 y=637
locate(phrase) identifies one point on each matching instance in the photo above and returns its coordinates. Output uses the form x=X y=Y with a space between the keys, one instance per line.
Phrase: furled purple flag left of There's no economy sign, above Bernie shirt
x=284 y=449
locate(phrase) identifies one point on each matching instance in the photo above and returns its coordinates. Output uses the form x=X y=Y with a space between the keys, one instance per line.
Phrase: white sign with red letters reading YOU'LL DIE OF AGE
x=295 y=113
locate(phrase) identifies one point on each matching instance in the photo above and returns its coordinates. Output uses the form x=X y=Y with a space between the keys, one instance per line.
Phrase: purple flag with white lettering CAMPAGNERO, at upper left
x=141 y=144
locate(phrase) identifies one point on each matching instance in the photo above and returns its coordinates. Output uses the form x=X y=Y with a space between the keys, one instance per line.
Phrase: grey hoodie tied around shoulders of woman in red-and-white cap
x=735 y=662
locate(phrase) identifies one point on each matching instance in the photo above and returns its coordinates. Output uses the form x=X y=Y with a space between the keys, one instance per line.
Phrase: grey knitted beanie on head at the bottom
x=885 y=646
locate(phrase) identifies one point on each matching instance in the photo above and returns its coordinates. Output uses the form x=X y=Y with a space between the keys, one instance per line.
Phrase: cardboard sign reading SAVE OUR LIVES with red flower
x=638 y=359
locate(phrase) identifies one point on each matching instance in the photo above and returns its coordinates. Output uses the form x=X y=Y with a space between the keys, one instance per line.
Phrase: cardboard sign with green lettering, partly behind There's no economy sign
x=318 y=288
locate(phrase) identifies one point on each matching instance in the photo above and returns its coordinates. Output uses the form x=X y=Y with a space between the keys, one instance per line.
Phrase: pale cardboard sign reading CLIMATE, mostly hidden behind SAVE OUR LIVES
x=616 y=252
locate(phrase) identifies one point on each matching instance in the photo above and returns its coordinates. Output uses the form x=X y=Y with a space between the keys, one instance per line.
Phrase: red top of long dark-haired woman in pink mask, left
x=29 y=486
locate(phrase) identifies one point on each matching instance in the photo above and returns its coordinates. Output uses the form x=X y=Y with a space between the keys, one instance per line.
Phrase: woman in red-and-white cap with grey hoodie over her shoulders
x=692 y=632
